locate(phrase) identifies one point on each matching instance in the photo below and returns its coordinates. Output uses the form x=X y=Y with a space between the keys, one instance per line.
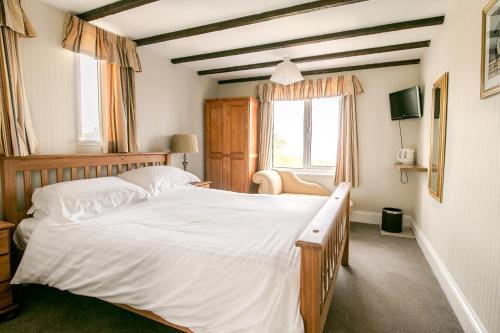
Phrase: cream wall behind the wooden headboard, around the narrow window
x=169 y=98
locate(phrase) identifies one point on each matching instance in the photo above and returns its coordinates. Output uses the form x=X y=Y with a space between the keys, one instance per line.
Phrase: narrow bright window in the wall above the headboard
x=89 y=129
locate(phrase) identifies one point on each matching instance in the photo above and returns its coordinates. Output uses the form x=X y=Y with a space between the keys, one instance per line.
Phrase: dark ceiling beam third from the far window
x=316 y=39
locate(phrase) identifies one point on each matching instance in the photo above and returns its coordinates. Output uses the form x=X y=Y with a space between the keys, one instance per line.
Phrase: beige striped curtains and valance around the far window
x=347 y=87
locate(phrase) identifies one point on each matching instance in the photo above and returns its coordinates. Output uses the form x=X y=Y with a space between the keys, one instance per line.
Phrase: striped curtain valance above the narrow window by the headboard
x=83 y=37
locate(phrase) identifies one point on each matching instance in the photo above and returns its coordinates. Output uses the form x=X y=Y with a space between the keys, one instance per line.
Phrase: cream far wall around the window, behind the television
x=378 y=138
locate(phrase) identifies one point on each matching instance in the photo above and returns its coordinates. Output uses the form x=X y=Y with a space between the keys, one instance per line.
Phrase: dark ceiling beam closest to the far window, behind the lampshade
x=330 y=70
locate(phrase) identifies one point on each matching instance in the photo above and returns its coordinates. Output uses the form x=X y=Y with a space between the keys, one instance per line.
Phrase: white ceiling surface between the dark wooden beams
x=170 y=15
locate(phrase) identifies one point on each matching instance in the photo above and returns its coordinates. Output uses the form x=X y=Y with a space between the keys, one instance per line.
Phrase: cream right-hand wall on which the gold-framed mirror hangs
x=464 y=231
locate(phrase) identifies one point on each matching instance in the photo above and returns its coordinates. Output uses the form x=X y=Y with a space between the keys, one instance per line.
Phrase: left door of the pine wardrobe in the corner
x=214 y=143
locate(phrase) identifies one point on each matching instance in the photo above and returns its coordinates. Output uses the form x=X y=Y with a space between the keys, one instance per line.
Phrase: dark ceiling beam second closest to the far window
x=346 y=54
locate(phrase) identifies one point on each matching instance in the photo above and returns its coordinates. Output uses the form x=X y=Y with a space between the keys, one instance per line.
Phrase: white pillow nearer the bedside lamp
x=156 y=179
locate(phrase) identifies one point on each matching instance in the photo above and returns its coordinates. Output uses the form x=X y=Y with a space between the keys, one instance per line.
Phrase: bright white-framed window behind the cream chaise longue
x=305 y=134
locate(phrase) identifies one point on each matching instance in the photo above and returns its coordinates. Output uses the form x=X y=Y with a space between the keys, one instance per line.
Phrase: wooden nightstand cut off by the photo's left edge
x=7 y=305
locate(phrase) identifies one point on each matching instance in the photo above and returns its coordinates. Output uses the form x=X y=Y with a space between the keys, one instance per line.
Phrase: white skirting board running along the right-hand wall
x=468 y=318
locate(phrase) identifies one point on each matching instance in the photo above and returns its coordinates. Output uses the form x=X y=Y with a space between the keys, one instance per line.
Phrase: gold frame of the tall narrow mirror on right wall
x=441 y=83
